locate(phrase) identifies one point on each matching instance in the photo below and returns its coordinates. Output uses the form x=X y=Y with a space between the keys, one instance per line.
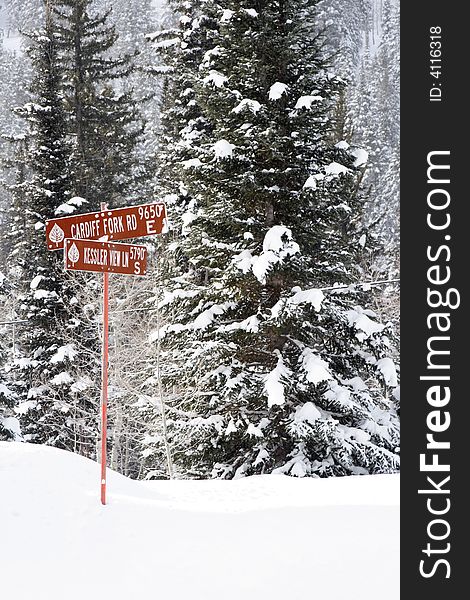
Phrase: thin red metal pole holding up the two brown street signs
x=104 y=377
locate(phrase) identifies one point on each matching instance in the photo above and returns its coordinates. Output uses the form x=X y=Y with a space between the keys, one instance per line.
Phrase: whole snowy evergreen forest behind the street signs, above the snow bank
x=265 y=336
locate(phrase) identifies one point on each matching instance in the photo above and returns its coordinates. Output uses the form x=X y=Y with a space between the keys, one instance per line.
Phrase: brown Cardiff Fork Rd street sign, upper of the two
x=108 y=225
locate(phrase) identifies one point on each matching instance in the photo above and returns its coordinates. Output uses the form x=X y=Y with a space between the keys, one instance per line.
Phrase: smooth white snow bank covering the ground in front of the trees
x=268 y=537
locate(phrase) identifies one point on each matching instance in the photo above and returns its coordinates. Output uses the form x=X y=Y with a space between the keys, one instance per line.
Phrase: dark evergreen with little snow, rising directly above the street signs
x=102 y=119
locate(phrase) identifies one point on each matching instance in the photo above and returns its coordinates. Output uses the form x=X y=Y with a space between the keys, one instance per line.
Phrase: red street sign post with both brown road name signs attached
x=88 y=243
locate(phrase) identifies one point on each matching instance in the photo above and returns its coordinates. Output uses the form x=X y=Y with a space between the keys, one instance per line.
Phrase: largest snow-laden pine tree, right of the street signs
x=263 y=370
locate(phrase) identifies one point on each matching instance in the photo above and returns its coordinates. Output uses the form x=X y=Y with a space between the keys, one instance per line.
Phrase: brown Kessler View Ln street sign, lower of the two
x=105 y=257
